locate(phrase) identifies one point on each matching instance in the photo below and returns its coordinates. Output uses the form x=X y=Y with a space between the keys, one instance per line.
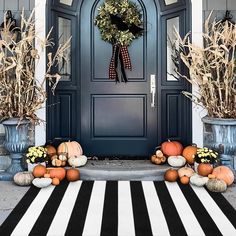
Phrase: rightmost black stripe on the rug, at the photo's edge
x=225 y=206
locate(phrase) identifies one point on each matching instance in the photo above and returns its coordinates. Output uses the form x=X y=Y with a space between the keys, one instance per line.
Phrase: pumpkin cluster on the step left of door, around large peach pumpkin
x=67 y=152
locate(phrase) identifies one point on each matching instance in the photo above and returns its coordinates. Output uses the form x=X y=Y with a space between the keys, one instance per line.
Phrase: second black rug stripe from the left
x=45 y=218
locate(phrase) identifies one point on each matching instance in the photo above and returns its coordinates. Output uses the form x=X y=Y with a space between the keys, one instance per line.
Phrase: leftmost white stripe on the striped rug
x=31 y=215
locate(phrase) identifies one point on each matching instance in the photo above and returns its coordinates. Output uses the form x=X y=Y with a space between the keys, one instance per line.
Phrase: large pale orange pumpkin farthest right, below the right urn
x=224 y=173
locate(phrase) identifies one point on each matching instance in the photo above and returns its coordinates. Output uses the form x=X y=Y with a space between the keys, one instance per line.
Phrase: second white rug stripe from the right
x=185 y=212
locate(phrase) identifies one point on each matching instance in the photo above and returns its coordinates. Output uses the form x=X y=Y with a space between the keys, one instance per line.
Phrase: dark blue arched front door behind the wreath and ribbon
x=117 y=118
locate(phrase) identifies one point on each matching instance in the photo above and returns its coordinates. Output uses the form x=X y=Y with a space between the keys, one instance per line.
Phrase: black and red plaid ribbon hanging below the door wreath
x=119 y=53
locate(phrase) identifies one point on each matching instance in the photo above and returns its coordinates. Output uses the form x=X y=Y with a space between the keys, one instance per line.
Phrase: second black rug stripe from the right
x=206 y=222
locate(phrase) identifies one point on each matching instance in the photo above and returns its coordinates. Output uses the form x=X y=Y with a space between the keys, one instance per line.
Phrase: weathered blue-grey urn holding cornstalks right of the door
x=220 y=135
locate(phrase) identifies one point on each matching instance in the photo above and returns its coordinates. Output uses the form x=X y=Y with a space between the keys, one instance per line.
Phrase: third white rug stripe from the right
x=156 y=215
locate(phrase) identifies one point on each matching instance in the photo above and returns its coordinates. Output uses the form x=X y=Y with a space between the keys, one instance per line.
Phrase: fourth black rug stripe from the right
x=140 y=213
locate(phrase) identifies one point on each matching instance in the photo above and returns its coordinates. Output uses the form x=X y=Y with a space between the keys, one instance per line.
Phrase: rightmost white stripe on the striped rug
x=223 y=224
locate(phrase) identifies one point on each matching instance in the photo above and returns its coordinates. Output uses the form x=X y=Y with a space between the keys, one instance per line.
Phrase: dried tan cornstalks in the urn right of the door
x=211 y=67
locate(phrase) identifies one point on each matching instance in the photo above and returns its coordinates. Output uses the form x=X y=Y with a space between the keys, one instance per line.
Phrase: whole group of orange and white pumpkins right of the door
x=216 y=179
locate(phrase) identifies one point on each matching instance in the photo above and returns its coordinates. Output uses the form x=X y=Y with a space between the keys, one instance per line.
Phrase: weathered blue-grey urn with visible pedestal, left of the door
x=16 y=142
